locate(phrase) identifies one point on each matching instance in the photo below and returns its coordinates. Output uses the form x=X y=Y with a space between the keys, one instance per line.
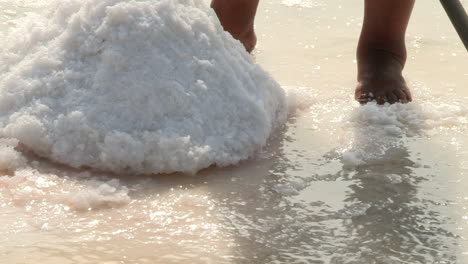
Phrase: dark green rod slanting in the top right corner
x=459 y=18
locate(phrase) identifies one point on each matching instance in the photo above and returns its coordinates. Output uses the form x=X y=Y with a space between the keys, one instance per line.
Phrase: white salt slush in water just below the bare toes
x=376 y=129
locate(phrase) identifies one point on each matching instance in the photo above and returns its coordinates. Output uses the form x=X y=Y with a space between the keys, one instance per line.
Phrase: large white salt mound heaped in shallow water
x=147 y=86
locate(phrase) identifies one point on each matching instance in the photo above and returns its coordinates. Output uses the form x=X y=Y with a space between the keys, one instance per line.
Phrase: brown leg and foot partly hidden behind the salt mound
x=237 y=17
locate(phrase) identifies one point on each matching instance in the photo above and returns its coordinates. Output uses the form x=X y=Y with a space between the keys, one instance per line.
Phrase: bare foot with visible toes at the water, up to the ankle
x=380 y=79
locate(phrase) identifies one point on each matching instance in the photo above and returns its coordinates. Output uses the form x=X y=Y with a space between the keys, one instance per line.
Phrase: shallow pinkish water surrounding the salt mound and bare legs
x=339 y=184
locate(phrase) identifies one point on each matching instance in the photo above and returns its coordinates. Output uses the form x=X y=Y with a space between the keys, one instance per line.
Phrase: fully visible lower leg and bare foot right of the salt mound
x=381 y=52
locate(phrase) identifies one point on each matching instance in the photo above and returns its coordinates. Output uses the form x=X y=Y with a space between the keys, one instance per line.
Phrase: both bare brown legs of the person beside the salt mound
x=381 y=52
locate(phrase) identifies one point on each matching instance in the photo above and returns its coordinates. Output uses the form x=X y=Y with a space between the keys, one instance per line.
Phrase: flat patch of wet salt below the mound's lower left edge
x=28 y=186
